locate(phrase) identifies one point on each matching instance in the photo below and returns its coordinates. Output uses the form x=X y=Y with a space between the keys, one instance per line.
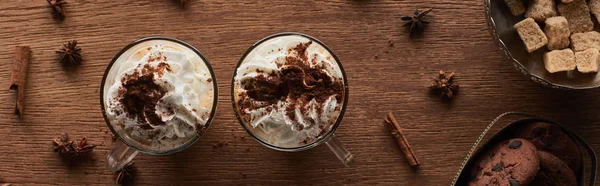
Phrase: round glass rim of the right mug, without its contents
x=322 y=139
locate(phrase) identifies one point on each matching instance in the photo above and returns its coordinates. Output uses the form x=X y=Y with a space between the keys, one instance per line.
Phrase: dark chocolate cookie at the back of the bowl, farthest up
x=551 y=138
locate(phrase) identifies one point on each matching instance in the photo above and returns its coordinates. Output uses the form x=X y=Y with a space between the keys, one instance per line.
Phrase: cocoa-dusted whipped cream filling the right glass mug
x=291 y=120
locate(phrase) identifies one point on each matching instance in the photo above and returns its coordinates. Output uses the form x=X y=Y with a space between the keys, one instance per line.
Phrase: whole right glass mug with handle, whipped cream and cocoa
x=263 y=119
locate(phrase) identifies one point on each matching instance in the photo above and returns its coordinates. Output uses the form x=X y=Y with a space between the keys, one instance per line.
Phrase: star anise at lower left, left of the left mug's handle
x=70 y=149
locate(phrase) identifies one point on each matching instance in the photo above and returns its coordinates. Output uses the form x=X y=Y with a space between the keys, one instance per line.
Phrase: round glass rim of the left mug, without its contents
x=212 y=112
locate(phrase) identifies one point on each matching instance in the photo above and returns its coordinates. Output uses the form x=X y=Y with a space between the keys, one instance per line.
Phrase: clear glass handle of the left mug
x=120 y=156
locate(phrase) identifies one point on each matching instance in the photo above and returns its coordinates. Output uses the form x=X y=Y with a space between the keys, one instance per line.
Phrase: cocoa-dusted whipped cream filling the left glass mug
x=175 y=99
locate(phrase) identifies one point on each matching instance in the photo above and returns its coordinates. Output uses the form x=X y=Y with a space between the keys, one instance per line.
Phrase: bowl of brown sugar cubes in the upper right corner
x=554 y=42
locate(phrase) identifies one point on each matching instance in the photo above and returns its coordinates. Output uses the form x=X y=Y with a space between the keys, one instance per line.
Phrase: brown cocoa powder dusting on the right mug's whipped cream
x=297 y=83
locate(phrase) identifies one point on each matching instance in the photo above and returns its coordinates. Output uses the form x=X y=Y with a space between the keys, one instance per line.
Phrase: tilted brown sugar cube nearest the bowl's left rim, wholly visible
x=531 y=34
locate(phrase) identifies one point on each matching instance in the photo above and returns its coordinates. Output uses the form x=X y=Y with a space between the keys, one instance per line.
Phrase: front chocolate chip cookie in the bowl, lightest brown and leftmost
x=510 y=163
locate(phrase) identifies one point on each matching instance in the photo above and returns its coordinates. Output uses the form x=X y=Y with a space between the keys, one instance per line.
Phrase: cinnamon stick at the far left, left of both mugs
x=18 y=78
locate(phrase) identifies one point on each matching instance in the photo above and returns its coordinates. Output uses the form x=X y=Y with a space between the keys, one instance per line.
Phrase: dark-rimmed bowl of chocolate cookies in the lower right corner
x=530 y=151
